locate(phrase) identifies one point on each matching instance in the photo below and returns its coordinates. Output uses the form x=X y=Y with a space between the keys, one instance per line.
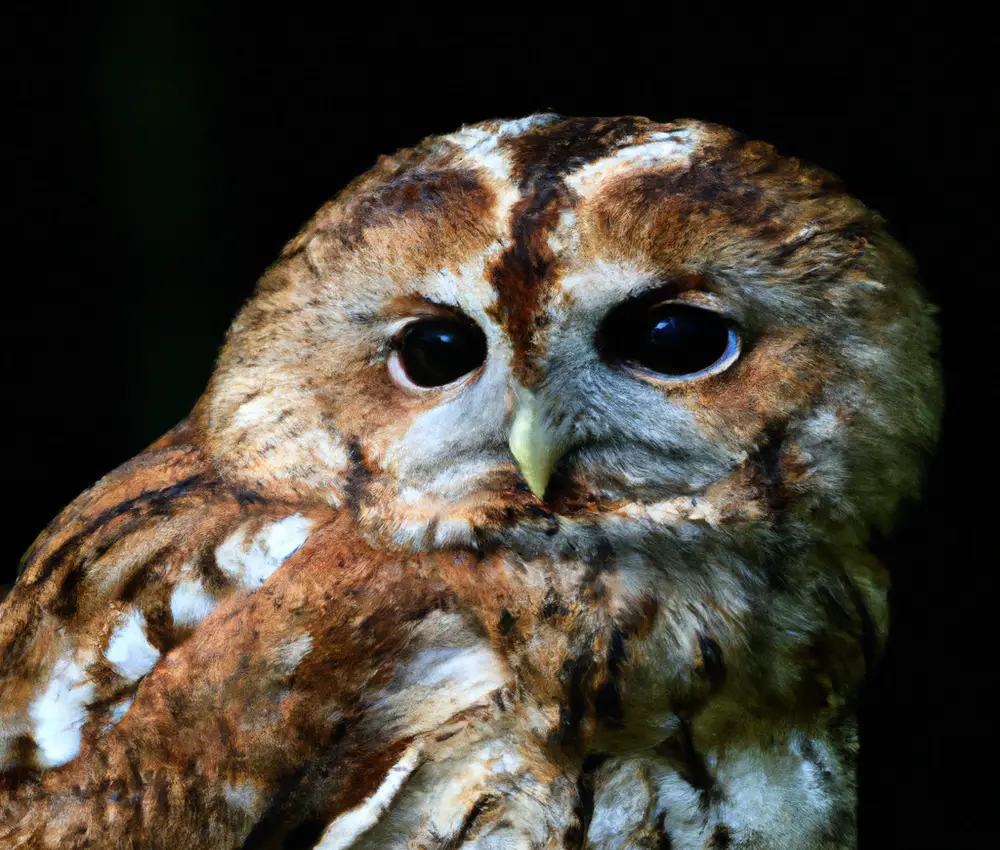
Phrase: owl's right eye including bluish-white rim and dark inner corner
x=674 y=340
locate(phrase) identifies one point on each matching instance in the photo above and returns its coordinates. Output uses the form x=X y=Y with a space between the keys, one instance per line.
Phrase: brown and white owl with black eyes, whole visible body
x=528 y=506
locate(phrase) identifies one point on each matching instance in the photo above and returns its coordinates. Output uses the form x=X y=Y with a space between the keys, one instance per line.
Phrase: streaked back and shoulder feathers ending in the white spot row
x=121 y=577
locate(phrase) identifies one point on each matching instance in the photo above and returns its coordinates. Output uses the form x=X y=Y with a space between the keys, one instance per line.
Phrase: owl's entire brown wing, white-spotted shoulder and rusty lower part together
x=183 y=661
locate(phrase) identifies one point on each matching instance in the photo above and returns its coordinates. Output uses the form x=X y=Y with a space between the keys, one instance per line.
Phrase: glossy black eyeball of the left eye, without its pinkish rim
x=439 y=351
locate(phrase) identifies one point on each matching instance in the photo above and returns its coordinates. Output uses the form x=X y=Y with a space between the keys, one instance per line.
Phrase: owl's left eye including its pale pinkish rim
x=433 y=353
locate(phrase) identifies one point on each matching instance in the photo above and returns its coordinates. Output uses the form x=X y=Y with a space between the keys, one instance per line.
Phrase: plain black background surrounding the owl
x=164 y=154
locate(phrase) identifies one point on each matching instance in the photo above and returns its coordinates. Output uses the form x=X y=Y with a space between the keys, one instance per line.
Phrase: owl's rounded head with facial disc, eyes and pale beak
x=552 y=331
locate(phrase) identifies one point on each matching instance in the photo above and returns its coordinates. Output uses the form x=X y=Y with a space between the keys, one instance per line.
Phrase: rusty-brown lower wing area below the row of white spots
x=297 y=686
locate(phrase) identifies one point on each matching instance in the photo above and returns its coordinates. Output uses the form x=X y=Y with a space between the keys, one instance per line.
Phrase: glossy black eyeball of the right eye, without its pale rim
x=675 y=340
